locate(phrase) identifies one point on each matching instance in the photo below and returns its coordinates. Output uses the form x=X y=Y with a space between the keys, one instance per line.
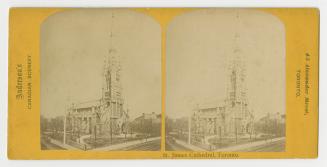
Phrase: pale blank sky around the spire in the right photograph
x=199 y=46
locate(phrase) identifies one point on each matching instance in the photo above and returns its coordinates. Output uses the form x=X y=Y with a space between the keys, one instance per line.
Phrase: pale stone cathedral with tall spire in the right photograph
x=232 y=116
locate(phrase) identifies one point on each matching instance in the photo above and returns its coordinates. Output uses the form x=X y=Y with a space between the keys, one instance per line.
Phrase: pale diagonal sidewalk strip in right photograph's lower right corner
x=249 y=145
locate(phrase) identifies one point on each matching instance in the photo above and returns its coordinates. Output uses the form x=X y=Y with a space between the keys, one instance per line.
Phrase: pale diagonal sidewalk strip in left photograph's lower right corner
x=123 y=145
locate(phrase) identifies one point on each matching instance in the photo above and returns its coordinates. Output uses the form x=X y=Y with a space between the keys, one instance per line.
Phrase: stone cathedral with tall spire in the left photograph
x=106 y=115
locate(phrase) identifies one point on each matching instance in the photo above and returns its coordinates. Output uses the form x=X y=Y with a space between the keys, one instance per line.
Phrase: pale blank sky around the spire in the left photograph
x=73 y=48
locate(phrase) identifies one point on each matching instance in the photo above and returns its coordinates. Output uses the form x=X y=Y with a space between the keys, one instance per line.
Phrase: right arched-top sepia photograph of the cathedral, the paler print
x=225 y=82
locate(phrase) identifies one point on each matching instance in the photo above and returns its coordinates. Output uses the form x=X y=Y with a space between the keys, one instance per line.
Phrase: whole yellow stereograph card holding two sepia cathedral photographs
x=163 y=83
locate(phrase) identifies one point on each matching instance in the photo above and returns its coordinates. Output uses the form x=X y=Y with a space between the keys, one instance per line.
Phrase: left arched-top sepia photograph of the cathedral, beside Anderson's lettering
x=100 y=81
